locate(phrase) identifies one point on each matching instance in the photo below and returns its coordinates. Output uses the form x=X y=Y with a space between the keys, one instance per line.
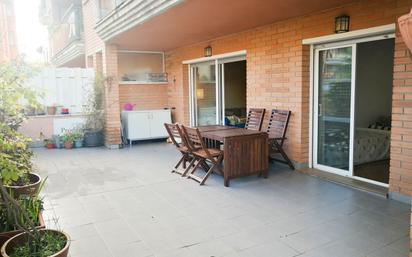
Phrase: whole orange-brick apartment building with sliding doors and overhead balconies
x=210 y=61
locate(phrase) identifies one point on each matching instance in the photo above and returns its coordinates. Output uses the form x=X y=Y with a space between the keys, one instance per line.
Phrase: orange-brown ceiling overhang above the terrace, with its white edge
x=170 y=24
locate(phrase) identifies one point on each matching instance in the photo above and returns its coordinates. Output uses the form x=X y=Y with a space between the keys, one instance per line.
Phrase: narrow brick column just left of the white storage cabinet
x=112 y=131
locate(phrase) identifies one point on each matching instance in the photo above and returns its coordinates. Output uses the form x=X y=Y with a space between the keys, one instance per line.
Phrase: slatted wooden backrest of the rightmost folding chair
x=278 y=124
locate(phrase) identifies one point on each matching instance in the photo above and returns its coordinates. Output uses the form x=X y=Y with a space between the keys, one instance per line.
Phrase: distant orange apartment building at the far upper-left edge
x=8 y=36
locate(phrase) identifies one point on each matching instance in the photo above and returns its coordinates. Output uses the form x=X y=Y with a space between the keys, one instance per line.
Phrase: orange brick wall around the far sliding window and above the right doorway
x=278 y=63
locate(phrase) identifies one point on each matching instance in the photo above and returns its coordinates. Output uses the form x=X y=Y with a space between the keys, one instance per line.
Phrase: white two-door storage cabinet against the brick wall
x=146 y=124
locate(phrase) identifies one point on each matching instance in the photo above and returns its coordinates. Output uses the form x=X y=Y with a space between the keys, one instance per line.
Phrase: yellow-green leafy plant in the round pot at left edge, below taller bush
x=15 y=157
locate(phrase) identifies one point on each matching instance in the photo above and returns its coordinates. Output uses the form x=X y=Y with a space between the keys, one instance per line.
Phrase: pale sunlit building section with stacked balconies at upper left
x=64 y=19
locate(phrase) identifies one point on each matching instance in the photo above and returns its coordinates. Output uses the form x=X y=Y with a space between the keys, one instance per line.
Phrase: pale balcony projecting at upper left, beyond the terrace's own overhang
x=67 y=43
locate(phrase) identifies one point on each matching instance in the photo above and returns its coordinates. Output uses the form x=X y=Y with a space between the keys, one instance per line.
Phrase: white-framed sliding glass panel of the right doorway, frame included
x=334 y=92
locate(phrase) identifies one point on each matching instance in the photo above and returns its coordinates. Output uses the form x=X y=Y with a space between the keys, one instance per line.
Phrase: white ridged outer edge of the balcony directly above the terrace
x=126 y=14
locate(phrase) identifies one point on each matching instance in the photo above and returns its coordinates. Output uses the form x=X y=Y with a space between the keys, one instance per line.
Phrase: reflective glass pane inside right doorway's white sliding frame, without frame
x=335 y=81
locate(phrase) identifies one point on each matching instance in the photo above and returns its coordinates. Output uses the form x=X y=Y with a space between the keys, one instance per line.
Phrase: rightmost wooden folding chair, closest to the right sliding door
x=277 y=127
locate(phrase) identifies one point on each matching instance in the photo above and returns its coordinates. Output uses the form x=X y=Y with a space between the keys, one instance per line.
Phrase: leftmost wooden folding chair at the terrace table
x=175 y=132
